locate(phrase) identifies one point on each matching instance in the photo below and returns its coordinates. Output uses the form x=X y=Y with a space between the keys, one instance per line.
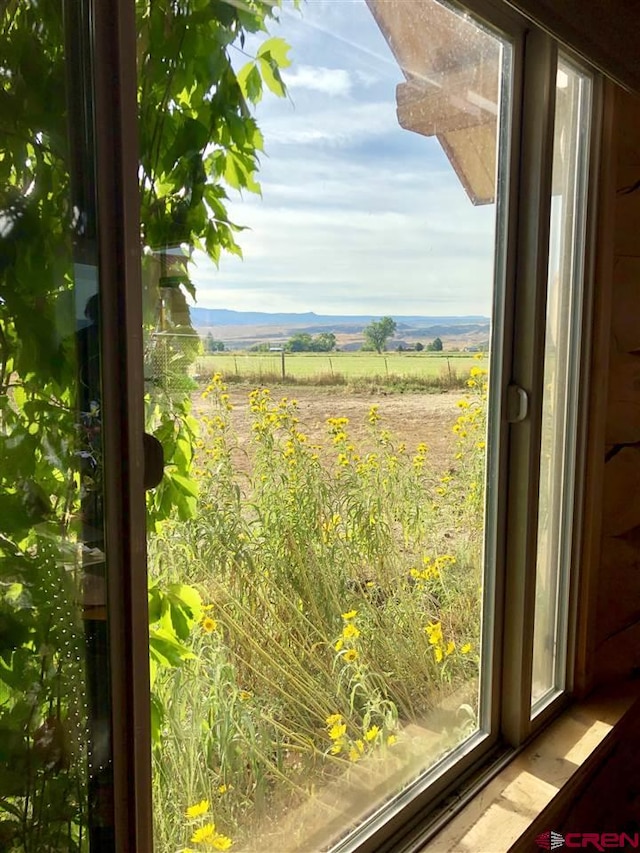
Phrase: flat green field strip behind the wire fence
x=345 y=365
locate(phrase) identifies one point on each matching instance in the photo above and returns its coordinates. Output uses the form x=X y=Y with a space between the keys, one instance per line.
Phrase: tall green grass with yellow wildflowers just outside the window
x=342 y=595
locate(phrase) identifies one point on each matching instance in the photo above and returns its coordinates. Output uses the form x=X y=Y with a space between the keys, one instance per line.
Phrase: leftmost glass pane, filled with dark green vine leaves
x=55 y=758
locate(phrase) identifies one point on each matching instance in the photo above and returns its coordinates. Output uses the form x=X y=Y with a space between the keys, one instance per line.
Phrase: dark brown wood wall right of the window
x=618 y=608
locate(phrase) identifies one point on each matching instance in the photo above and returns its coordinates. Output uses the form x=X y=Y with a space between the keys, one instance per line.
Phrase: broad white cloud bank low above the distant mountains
x=428 y=260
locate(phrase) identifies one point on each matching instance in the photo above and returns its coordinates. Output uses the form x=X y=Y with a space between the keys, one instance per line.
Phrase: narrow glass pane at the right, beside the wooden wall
x=561 y=380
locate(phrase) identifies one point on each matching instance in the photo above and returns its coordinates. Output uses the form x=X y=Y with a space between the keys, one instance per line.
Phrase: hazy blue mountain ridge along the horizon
x=206 y=317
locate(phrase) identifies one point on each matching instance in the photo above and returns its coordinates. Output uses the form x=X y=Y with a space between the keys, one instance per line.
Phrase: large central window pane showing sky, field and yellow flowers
x=317 y=544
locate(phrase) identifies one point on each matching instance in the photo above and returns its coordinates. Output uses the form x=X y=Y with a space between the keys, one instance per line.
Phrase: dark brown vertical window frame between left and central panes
x=117 y=157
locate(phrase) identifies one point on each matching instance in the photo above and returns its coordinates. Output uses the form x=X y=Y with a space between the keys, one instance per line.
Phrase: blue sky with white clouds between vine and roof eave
x=357 y=215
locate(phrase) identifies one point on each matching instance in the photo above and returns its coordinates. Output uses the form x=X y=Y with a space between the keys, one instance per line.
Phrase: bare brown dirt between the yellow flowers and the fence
x=412 y=418
